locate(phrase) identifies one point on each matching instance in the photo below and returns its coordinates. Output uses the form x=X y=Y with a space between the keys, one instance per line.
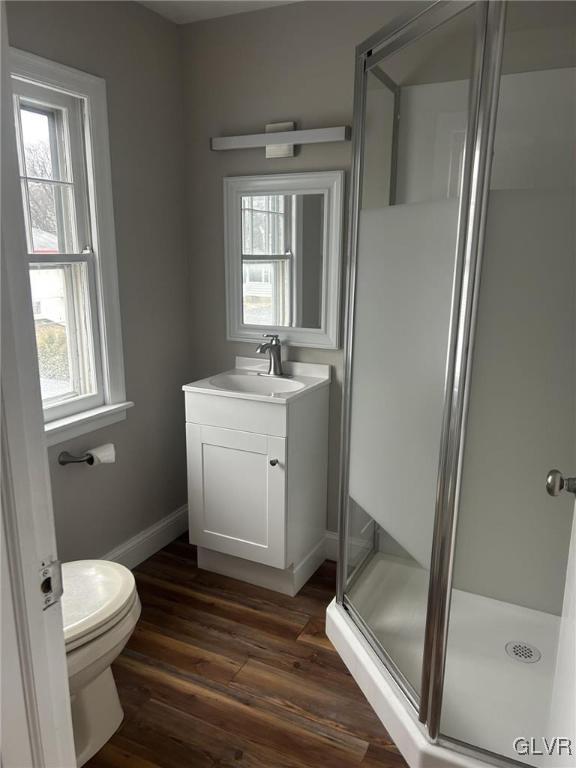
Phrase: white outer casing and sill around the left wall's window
x=105 y=303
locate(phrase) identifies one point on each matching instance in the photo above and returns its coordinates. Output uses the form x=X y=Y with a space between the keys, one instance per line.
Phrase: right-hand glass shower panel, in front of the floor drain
x=509 y=676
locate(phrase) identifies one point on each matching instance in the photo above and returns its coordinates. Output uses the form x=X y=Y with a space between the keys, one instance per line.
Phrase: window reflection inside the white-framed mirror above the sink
x=267 y=231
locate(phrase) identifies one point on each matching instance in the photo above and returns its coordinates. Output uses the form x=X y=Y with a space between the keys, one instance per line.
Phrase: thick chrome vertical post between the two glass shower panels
x=471 y=230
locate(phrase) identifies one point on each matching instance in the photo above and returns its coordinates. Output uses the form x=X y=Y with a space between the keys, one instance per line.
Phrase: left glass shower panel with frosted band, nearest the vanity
x=416 y=110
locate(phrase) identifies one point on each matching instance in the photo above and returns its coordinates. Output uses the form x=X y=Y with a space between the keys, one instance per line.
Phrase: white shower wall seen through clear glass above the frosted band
x=533 y=146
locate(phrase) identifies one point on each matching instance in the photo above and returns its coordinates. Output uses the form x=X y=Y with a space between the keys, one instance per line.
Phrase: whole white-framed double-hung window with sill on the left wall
x=63 y=156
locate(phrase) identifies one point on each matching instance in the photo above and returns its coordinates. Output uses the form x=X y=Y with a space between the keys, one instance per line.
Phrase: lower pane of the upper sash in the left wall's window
x=51 y=218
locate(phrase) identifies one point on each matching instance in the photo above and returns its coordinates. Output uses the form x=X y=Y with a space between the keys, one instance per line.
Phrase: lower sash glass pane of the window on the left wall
x=61 y=319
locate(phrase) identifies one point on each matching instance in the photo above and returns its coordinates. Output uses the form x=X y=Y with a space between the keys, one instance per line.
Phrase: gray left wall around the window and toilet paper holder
x=139 y=54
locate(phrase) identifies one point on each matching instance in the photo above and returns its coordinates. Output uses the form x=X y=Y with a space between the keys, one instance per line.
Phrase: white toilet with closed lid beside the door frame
x=100 y=608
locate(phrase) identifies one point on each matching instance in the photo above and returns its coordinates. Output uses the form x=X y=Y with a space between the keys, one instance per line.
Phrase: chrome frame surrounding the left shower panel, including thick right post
x=483 y=99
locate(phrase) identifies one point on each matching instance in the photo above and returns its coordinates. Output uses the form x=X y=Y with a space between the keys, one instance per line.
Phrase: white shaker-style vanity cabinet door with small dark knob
x=236 y=488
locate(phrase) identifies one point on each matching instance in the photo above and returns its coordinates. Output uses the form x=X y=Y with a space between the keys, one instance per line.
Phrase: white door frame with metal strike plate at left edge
x=36 y=723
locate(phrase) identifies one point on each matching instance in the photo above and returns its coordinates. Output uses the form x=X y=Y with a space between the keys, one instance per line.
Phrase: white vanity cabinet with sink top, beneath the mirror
x=257 y=473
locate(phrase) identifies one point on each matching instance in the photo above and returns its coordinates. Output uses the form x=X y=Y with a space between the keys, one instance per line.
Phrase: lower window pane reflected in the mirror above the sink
x=266 y=292
